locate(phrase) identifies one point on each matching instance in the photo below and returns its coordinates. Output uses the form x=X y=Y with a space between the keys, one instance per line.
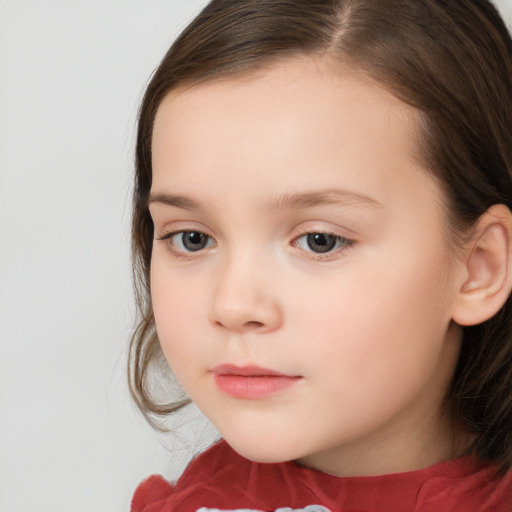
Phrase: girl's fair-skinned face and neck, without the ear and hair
x=314 y=247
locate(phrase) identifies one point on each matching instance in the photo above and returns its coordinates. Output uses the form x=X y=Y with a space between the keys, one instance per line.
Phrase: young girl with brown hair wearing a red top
x=322 y=236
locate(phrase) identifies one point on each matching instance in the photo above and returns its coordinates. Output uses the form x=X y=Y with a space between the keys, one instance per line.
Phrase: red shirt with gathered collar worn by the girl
x=221 y=479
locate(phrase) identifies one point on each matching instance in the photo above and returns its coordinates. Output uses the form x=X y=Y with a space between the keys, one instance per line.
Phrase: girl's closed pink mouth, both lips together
x=251 y=382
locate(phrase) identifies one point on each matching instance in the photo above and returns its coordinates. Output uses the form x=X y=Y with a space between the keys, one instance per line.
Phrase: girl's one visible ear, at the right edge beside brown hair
x=486 y=280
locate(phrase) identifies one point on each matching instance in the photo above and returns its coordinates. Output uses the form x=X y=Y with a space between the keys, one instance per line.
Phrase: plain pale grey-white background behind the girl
x=71 y=75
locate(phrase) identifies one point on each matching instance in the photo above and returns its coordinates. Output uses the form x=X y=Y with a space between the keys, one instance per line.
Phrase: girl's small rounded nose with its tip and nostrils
x=244 y=298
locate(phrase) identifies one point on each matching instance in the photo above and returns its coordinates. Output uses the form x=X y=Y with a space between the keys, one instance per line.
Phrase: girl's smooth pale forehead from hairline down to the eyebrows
x=292 y=124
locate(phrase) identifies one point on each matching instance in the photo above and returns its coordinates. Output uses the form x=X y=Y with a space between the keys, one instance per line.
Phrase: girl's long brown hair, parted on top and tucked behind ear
x=451 y=60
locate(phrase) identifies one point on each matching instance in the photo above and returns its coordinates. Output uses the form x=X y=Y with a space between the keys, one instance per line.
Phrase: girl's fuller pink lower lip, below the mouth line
x=253 y=387
